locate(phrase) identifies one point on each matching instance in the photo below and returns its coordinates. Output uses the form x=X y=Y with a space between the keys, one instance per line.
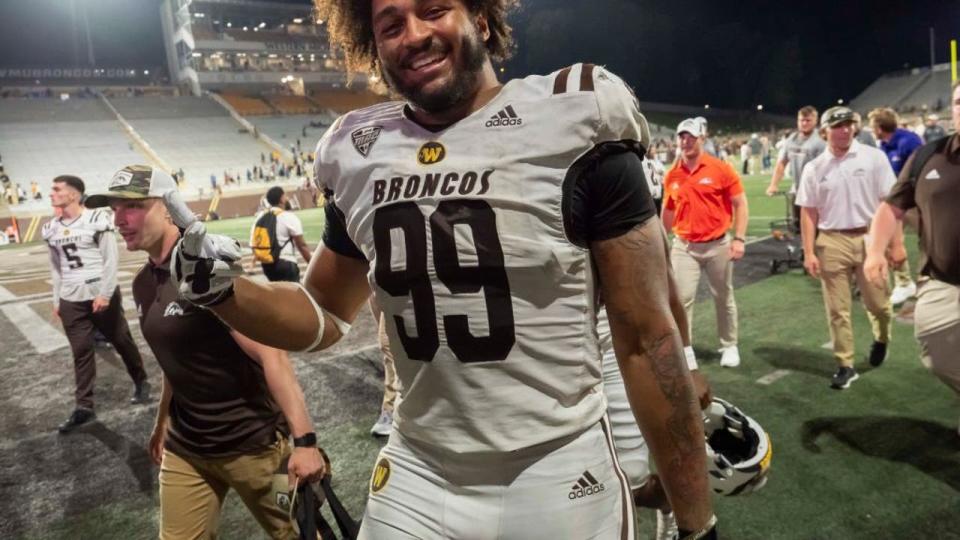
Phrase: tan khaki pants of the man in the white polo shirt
x=841 y=259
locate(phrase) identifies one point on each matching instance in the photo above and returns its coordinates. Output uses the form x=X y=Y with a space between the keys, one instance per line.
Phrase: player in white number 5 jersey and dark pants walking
x=86 y=298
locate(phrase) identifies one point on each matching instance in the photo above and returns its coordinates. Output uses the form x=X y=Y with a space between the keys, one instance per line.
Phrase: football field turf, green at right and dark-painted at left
x=880 y=460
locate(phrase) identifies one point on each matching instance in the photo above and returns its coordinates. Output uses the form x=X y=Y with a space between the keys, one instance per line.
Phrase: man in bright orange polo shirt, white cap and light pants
x=703 y=196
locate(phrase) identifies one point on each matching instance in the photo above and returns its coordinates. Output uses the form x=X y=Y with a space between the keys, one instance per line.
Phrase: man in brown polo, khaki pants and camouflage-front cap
x=228 y=403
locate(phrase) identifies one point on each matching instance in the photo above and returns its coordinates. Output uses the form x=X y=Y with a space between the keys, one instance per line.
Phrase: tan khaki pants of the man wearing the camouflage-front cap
x=192 y=491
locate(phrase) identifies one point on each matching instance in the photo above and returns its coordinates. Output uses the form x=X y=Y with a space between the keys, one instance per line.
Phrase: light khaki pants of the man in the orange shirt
x=713 y=258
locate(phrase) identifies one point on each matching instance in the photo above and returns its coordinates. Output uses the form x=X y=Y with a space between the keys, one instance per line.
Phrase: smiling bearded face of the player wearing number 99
x=431 y=51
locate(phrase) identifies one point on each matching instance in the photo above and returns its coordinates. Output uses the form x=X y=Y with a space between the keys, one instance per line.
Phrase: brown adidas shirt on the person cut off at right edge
x=936 y=196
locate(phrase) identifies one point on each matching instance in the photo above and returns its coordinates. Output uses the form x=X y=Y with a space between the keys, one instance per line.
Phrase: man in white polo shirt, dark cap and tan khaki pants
x=839 y=192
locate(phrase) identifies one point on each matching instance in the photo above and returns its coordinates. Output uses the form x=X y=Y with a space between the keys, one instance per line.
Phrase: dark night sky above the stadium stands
x=727 y=54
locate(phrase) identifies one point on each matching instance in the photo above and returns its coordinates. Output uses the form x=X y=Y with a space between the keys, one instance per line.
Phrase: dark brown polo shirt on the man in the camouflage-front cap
x=221 y=405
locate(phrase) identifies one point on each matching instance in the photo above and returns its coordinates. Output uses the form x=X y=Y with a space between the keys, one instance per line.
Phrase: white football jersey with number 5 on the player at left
x=77 y=246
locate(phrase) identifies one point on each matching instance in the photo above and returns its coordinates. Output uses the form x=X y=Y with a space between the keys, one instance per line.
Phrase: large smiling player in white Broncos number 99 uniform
x=486 y=218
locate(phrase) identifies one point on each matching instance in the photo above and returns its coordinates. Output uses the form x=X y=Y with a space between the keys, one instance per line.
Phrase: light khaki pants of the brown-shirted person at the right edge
x=937 y=319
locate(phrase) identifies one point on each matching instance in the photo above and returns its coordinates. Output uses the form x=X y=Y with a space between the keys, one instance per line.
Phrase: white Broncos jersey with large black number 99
x=490 y=300
